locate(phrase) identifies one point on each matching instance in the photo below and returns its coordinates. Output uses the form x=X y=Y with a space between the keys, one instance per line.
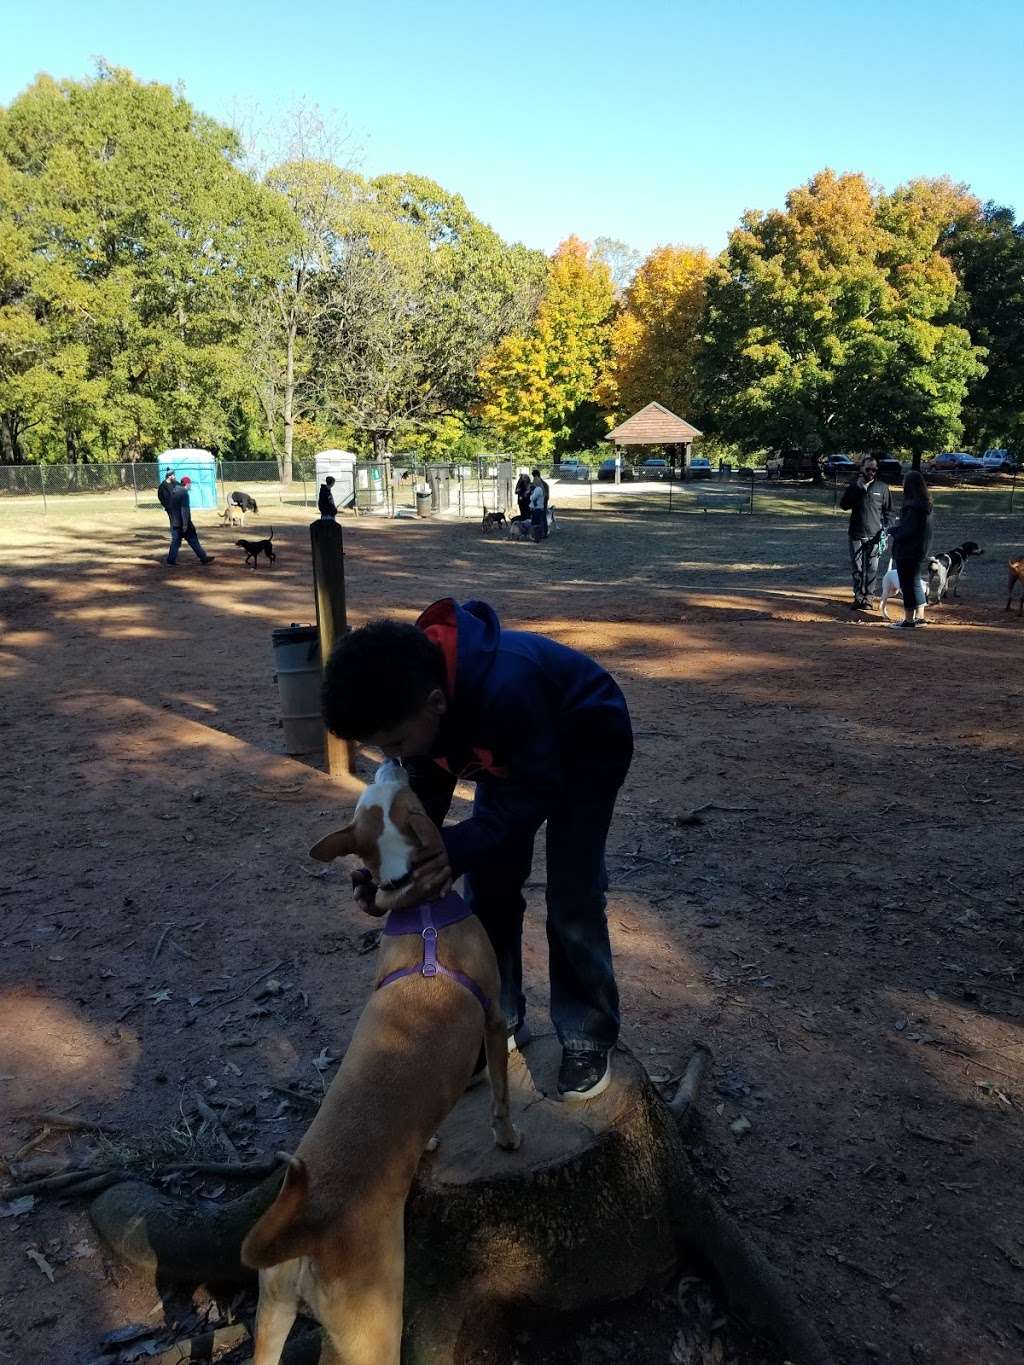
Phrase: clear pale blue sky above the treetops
x=652 y=124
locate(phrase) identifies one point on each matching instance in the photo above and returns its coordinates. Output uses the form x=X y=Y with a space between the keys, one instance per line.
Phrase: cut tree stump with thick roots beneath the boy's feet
x=600 y=1202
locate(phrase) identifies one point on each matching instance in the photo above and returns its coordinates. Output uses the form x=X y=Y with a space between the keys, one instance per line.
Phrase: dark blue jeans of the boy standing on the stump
x=585 y=997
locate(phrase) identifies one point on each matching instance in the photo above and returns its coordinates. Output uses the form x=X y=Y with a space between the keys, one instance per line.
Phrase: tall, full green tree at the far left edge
x=147 y=244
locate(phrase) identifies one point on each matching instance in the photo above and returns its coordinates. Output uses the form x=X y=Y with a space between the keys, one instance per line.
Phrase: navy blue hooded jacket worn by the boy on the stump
x=533 y=720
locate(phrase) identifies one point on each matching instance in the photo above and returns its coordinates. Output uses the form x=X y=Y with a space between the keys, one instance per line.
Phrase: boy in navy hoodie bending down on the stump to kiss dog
x=545 y=735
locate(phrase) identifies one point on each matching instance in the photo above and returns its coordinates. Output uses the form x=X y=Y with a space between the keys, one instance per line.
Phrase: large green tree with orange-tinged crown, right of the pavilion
x=831 y=324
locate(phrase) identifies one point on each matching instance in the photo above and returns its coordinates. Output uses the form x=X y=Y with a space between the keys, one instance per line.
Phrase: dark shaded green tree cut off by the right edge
x=988 y=253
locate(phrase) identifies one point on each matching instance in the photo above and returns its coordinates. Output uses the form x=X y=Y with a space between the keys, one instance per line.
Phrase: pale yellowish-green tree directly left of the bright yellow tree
x=421 y=291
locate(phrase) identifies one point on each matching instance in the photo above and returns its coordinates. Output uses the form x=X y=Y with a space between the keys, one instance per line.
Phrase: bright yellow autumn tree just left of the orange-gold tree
x=540 y=390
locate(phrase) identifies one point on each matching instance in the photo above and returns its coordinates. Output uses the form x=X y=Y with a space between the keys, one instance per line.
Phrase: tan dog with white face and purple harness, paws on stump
x=335 y=1236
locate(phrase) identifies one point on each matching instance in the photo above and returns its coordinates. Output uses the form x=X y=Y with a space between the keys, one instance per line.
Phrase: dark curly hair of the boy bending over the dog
x=378 y=678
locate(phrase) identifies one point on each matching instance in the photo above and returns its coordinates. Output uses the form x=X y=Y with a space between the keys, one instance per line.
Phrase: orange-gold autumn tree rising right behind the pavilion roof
x=656 y=336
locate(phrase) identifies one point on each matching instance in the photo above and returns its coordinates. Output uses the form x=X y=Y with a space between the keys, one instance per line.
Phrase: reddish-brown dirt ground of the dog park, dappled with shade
x=844 y=928
